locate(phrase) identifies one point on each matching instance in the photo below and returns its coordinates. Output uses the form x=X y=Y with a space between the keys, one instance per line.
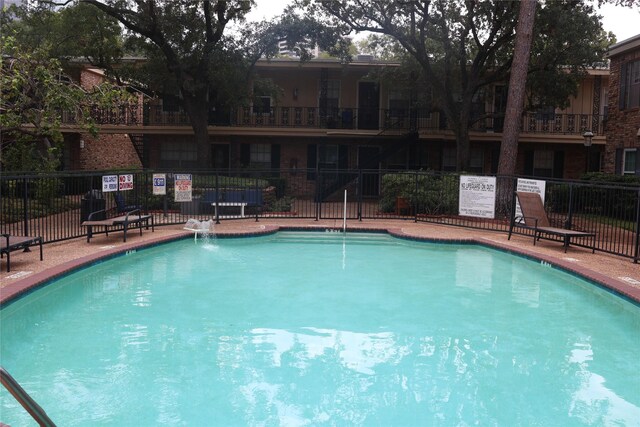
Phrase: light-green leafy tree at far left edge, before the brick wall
x=35 y=94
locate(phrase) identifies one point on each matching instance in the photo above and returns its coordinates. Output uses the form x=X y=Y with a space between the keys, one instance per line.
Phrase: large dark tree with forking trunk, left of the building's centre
x=192 y=42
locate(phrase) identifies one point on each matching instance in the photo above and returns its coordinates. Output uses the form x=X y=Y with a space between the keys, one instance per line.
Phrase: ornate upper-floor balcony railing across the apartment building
x=421 y=120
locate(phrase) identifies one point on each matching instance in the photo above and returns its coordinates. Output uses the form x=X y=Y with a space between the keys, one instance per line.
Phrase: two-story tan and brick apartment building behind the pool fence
x=330 y=115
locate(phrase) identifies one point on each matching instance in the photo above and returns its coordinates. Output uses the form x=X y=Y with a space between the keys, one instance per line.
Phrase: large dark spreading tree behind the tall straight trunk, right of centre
x=463 y=48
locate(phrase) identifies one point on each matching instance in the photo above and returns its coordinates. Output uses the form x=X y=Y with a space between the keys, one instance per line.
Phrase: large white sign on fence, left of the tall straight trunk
x=477 y=196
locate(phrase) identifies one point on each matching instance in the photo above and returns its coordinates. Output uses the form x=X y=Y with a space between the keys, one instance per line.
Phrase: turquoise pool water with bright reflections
x=315 y=329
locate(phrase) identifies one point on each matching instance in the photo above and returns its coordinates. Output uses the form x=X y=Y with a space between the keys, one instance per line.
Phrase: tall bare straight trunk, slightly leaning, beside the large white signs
x=517 y=85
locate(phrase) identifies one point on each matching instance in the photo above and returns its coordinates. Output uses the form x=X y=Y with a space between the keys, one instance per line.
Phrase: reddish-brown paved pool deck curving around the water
x=27 y=272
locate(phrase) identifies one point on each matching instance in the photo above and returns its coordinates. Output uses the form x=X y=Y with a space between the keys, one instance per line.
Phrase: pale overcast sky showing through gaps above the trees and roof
x=624 y=22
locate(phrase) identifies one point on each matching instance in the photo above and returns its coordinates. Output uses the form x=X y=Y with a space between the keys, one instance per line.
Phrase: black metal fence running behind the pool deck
x=54 y=206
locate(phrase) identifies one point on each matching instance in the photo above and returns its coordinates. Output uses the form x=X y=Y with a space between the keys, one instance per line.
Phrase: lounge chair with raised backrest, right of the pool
x=535 y=218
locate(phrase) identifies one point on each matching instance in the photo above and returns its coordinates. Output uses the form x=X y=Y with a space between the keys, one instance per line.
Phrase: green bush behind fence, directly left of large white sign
x=430 y=194
